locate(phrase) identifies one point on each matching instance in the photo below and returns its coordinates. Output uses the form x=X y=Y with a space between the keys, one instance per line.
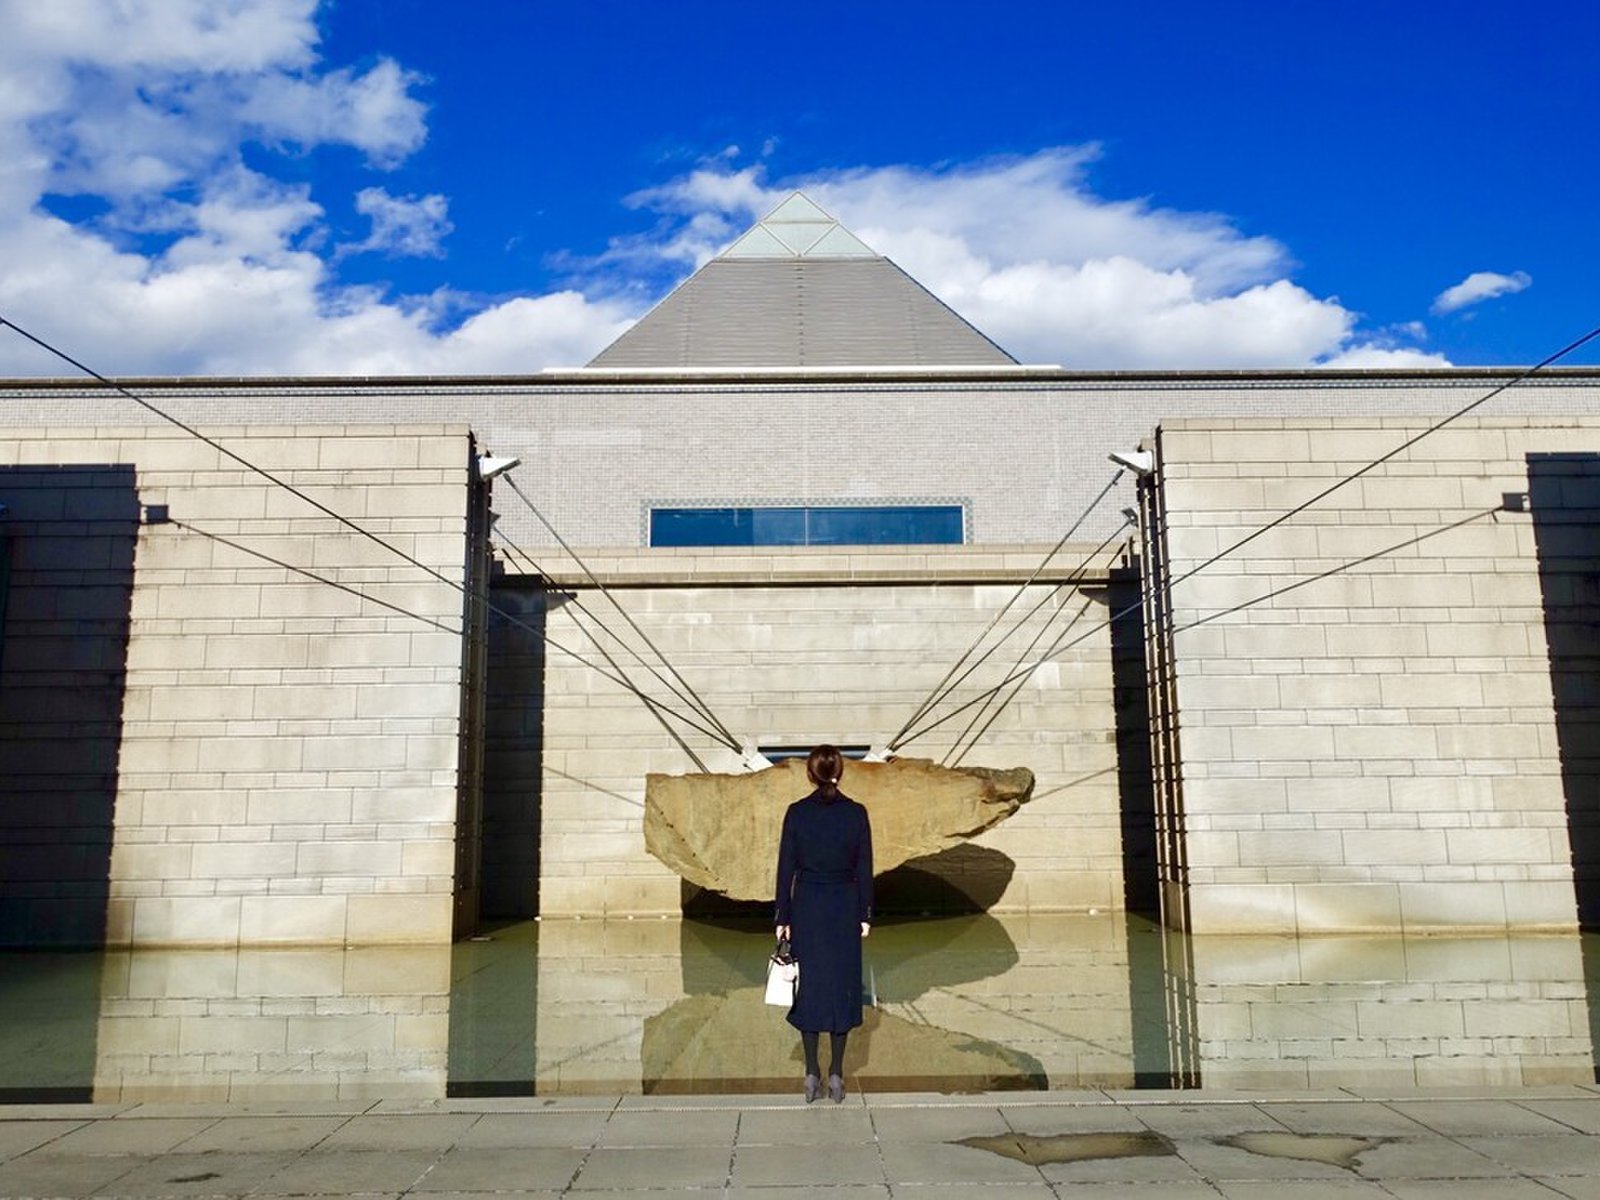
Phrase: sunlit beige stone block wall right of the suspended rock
x=1375 y=750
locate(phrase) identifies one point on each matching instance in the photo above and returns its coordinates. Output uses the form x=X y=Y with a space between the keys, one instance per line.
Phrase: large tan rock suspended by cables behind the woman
x=721 y=831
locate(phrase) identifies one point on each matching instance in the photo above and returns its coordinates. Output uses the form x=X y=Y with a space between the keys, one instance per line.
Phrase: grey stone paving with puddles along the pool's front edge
x=1169 y=1146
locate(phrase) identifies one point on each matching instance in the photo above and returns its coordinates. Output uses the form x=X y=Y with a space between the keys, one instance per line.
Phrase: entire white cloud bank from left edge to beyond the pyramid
x=199 y=262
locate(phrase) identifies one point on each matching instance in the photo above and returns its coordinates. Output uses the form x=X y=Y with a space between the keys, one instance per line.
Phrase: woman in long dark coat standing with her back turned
x=825 y=910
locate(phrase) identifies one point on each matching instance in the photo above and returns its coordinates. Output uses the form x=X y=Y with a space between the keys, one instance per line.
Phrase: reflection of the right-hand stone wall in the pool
x=1375 y=1012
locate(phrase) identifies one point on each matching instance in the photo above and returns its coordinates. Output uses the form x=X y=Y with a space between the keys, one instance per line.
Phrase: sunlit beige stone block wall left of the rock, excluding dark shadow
x=287 y=766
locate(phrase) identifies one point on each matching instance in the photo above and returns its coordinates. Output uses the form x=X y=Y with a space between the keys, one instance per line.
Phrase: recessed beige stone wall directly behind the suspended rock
x=833 y=646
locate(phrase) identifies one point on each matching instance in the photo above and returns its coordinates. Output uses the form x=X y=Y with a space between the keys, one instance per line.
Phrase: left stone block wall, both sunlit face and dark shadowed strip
x=286 y=753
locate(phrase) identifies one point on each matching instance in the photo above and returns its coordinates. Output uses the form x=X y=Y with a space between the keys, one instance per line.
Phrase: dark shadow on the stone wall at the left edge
x=68 y=540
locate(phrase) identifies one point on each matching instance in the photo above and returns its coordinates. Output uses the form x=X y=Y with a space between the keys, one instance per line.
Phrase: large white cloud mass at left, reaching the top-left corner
x=146 y=106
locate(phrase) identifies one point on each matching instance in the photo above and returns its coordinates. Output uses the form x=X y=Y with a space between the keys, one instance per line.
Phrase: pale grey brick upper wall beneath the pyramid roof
x=1026 y=457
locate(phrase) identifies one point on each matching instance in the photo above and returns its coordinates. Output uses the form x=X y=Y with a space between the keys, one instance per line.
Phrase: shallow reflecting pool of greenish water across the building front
x=961 y=1004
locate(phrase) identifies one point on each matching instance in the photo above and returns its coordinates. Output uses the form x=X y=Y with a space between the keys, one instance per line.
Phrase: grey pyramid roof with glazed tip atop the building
x=801 y=290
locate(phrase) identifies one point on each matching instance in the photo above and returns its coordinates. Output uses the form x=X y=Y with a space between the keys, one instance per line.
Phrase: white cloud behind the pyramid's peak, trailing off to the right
x=1034 y=258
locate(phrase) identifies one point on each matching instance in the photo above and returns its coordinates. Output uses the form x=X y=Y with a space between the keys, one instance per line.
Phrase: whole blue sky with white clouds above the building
x=278 y=186
